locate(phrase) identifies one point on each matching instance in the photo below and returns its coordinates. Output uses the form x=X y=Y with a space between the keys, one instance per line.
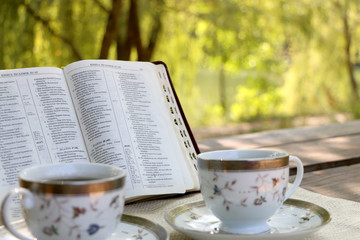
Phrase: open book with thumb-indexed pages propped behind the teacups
x=114 y=112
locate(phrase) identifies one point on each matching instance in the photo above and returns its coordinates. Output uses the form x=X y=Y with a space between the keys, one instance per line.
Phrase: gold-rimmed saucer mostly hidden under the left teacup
x=130 y=228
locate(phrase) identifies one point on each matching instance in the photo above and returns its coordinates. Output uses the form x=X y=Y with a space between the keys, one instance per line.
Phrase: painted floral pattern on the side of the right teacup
x=264 y=187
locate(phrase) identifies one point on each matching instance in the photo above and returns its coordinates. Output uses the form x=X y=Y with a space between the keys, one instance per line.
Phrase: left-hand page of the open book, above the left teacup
x=37 y=121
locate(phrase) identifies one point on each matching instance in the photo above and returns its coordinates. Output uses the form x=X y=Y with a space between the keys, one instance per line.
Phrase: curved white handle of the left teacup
x=27 y=203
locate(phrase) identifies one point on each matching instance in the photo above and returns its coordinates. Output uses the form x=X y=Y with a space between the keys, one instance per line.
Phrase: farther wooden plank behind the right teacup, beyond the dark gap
x=318 y=147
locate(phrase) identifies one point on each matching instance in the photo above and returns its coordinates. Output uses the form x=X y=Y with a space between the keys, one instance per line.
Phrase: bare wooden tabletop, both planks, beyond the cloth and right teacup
x=330 y=153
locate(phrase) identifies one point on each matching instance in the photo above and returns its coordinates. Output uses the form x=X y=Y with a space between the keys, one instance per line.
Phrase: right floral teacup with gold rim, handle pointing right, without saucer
x=244 y=188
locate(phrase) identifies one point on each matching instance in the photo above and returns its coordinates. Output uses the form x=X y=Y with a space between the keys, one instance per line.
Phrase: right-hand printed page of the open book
x=125 y=122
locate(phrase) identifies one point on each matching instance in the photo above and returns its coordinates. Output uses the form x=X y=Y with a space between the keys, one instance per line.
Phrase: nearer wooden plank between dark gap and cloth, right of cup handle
x=341 y=182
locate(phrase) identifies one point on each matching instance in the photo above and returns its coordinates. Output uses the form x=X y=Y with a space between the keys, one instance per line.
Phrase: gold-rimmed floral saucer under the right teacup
x=294 y=220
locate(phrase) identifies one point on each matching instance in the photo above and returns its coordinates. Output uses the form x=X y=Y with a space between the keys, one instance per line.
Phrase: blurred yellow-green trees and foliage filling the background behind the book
x=230 y=60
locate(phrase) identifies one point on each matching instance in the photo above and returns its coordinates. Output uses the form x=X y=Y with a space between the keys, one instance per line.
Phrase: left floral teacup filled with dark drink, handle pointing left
x=69 y=201
